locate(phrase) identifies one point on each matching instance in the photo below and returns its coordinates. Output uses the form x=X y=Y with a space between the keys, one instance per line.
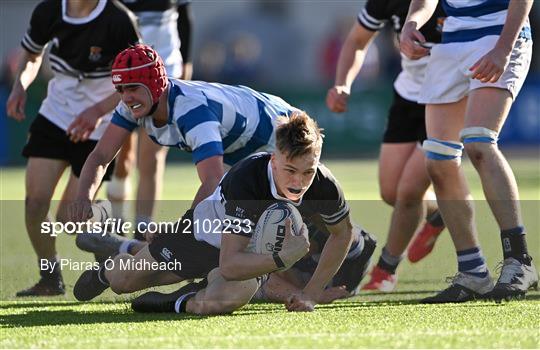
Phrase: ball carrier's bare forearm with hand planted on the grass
x=332 y=257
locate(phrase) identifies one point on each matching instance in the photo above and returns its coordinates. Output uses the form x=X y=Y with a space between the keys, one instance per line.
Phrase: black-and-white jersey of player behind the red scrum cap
x=158 y=25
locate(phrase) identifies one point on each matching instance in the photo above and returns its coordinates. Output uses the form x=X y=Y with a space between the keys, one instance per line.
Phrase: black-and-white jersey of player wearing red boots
x=377 y=13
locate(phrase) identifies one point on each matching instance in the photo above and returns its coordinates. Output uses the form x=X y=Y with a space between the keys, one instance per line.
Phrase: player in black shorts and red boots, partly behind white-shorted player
x=403 y=179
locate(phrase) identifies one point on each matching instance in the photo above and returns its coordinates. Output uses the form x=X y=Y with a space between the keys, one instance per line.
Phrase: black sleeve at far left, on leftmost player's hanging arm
x=38 y=33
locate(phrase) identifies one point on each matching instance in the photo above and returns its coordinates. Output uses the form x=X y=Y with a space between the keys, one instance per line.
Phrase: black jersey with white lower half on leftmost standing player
x=81 y=54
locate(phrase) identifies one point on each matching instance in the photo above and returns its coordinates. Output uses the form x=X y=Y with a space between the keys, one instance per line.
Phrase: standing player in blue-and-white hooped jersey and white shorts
x=471 y=80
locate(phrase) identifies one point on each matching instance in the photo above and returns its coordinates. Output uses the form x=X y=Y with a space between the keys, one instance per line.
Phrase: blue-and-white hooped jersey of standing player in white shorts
x=475 y=19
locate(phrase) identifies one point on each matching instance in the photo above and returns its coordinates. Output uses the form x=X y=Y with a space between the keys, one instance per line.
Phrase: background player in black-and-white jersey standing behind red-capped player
x=166 y=26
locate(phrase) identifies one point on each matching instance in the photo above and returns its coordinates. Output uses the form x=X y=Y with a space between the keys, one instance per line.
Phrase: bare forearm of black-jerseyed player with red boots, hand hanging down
x=351 y=59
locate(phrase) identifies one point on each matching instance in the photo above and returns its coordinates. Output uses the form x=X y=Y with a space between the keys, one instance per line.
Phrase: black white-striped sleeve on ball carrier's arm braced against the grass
x=332 y=206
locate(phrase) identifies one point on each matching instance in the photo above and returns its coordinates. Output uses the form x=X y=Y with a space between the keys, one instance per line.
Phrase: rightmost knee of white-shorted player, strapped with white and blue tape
x=479 y=143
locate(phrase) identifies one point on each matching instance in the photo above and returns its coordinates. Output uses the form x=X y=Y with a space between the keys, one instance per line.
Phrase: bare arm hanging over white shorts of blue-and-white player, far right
x=491 y=66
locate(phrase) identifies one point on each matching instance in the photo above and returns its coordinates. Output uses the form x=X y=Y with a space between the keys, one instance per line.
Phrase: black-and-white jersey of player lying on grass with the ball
x=248 y=189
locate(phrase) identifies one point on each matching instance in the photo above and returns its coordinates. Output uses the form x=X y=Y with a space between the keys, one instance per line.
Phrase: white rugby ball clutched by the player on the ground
x=270 y=229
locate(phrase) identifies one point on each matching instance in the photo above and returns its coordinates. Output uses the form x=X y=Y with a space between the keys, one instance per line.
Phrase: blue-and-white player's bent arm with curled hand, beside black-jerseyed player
x=419 y=13
